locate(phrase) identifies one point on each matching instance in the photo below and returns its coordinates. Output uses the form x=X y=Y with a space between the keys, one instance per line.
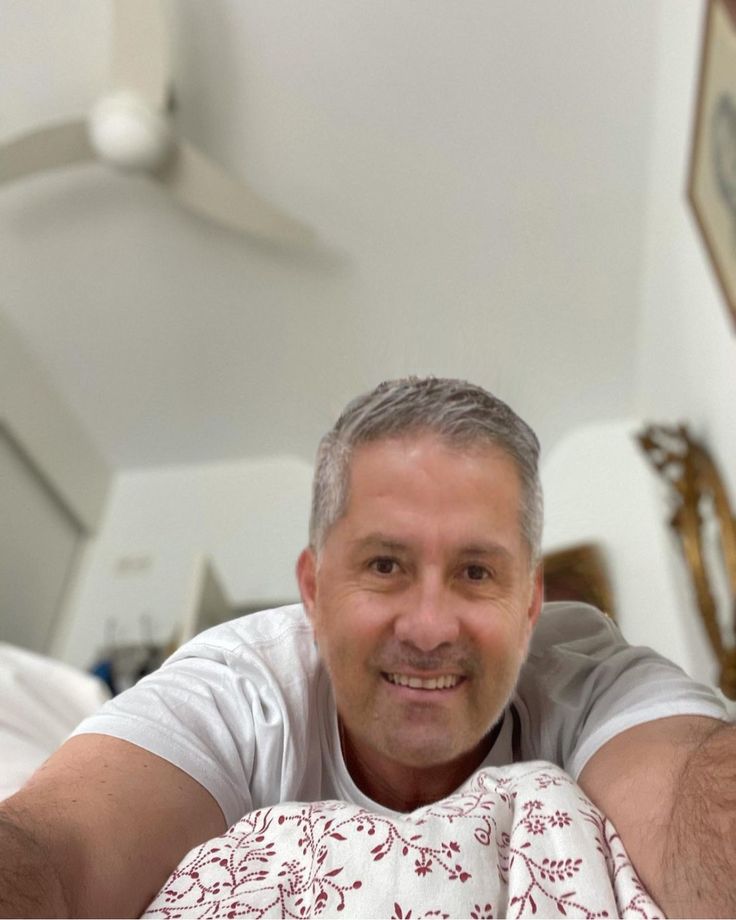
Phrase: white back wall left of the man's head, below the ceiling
x=251 y=517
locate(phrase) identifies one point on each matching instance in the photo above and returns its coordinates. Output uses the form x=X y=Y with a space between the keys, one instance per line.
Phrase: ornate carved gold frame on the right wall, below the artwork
x=688 y=468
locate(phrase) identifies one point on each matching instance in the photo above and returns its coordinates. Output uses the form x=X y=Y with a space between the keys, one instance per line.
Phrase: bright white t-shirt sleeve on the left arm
x=208 y=717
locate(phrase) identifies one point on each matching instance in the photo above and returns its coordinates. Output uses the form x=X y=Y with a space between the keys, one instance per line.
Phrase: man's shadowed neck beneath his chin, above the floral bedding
x=405 y=788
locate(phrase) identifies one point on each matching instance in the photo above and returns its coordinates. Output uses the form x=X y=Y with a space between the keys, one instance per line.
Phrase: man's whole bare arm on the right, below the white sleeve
x=669 y=787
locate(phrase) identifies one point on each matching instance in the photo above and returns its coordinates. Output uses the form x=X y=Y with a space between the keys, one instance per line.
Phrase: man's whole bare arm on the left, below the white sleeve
x=97 y=830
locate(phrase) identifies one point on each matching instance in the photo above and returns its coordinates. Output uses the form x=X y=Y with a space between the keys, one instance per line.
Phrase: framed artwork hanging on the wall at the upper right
x=712 y=181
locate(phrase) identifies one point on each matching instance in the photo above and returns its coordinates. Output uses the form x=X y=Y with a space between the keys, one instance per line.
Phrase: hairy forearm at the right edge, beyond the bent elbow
x=699 y=860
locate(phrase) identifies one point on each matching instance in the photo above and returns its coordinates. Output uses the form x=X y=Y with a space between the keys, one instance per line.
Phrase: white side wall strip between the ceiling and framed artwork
x=686 y=352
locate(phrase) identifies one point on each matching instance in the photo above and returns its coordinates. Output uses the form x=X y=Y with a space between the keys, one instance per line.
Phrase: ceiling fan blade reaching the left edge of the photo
x=46 y=148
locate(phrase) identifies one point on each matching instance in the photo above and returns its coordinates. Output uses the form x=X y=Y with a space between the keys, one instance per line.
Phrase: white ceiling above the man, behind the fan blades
x=476 y=172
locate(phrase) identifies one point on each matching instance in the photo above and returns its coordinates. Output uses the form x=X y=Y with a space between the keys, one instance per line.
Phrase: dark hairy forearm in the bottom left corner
x=29 y=884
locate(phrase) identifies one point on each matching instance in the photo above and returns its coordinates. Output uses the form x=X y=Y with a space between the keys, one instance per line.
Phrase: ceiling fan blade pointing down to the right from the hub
x=205 y=188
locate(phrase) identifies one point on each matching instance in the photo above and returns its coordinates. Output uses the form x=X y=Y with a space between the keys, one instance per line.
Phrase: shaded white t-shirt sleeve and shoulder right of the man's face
x=583 y=684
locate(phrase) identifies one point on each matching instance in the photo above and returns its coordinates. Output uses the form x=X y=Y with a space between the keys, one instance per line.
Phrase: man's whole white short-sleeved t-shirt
x=246 y=708
